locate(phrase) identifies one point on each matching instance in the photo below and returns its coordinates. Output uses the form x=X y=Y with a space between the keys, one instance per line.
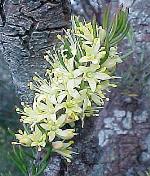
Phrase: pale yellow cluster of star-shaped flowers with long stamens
x=75 y=82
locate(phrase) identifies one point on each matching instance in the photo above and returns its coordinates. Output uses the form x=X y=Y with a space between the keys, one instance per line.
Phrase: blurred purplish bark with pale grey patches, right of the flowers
x=124 y=135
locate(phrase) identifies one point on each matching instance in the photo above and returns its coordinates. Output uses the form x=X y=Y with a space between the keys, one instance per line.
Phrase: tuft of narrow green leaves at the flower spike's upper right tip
x=116 y=31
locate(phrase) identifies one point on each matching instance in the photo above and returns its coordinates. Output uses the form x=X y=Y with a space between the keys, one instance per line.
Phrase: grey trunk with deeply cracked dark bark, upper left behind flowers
x=27 y=30
